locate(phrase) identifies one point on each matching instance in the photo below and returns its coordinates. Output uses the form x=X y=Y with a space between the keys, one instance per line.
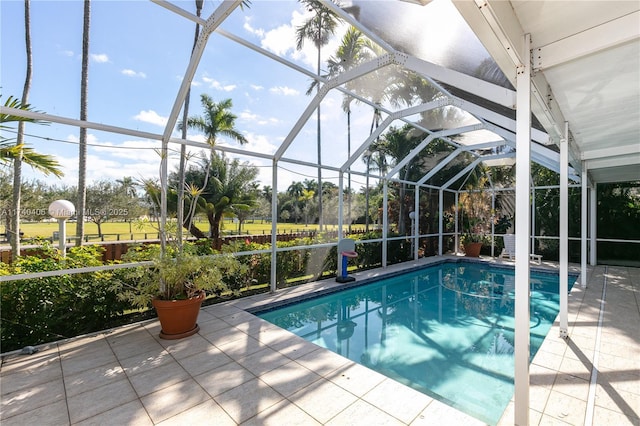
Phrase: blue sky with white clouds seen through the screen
x=139 y=53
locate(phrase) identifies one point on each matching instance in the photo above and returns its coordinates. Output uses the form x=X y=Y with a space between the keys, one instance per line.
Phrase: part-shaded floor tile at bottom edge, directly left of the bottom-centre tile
x=248 y=399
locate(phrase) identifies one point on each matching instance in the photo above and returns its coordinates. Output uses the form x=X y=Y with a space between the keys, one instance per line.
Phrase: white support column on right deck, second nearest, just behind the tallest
x=564 y=233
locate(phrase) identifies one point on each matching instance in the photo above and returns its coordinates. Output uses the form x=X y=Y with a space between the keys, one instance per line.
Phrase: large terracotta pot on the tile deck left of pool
x=178 y=318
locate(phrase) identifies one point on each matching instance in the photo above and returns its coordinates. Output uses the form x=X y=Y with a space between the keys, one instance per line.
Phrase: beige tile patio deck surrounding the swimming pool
x=240 y=369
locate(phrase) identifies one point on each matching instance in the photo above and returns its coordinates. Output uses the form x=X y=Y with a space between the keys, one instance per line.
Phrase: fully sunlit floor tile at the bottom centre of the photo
x=323 y=400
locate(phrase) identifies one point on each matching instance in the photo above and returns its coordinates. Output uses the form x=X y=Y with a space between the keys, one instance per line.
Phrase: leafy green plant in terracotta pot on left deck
x=176 y=284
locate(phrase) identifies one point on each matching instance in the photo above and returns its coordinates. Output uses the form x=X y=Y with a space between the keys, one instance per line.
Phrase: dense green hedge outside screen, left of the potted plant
x=41 y=310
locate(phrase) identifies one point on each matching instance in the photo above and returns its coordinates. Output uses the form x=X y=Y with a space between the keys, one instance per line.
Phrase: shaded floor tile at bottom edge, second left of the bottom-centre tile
x=173 y=400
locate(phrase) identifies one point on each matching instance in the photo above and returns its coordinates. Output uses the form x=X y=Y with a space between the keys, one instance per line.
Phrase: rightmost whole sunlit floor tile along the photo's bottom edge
x=413 y=402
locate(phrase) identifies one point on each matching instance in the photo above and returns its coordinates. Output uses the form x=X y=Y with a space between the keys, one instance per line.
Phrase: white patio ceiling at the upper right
x=586 y=60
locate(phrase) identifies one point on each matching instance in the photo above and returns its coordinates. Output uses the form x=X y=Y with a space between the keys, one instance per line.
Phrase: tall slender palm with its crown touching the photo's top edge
x=318 y=29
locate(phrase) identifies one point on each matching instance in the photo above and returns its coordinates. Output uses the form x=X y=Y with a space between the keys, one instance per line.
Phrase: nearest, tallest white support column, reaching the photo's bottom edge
x=523 y=218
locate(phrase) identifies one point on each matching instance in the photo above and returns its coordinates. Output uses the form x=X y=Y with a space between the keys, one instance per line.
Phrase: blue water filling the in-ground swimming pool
x=446 y=330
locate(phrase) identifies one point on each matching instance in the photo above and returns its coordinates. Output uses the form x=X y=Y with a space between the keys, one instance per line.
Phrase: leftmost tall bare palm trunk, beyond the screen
x=14 y=233
